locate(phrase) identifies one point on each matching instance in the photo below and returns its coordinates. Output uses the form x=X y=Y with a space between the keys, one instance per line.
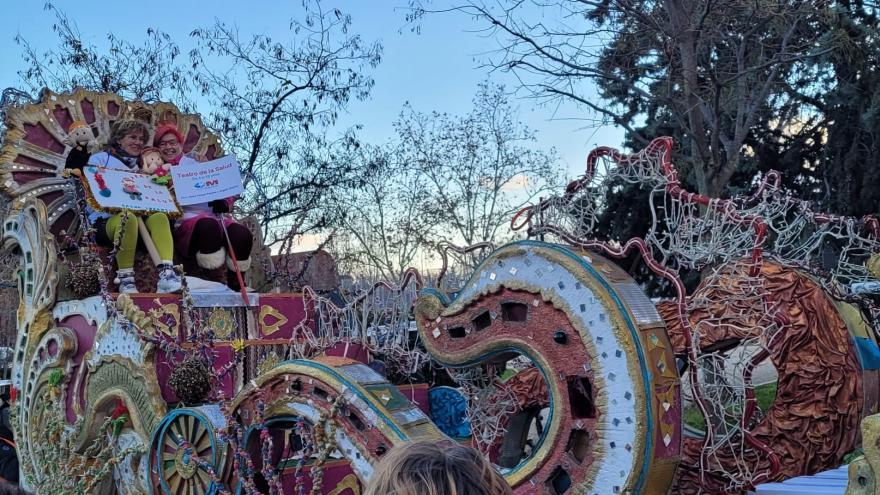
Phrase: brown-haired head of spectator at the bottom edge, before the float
x=426 y=468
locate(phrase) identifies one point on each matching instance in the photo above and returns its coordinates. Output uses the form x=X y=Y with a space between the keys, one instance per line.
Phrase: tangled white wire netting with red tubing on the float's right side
x=731 y=242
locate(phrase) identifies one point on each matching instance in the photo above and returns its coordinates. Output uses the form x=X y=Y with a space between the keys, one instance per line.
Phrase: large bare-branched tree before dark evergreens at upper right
x=709 y=71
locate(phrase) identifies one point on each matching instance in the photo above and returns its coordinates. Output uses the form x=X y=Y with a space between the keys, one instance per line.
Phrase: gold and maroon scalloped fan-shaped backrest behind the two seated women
x=34 y=149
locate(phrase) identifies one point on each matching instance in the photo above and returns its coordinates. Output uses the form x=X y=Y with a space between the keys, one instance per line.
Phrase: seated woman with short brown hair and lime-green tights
x=127 y=139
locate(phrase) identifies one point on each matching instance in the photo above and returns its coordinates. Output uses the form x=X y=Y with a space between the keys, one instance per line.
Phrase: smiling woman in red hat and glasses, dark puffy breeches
x=199 y=232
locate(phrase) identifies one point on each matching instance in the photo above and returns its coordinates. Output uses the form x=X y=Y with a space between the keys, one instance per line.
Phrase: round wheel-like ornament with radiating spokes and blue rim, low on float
x=183 y=448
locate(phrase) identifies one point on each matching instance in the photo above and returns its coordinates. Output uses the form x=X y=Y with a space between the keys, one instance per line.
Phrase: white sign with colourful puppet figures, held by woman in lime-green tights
x=112 y=189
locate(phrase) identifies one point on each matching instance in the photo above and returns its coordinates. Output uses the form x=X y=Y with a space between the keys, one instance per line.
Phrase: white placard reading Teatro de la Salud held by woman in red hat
x=203 y=182
